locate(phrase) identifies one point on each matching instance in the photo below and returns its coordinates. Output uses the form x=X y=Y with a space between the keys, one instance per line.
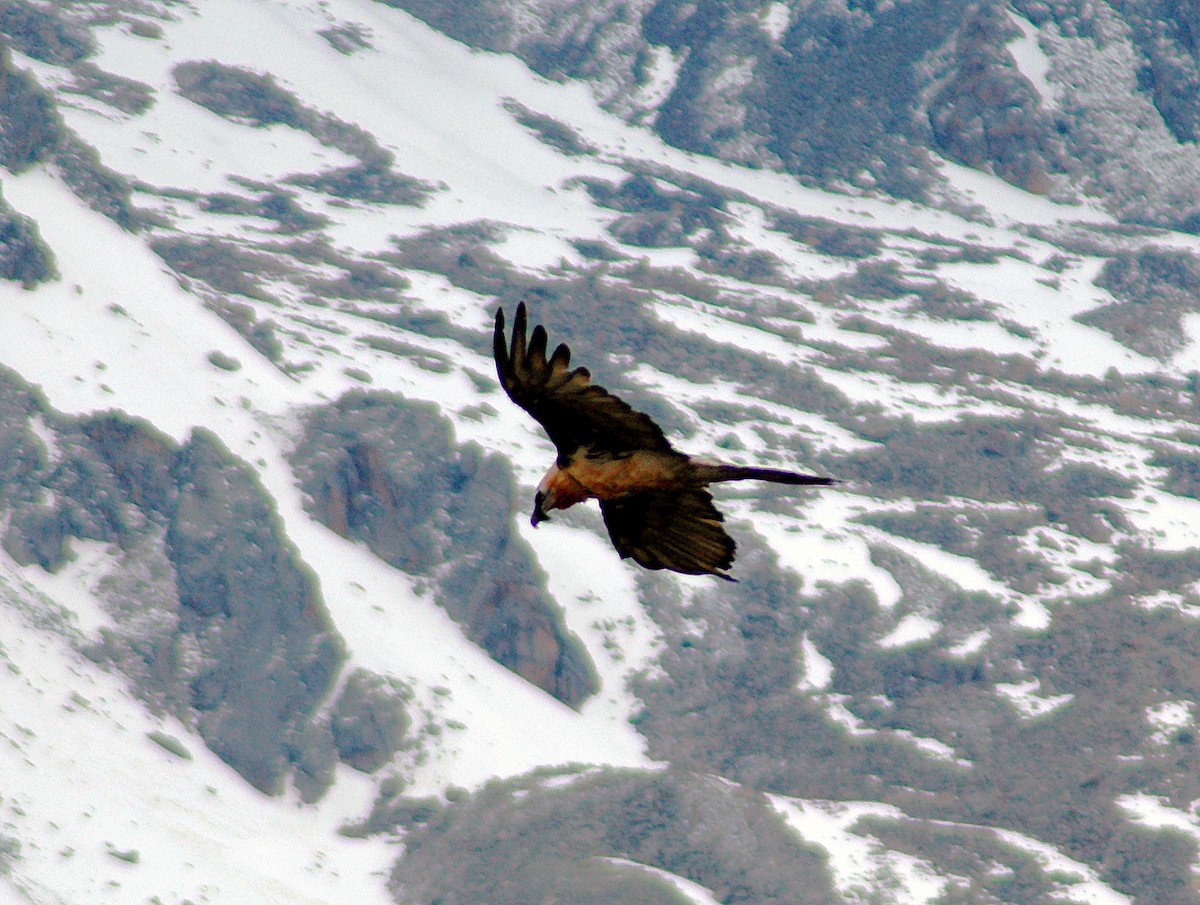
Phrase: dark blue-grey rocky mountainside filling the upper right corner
x=869 y=95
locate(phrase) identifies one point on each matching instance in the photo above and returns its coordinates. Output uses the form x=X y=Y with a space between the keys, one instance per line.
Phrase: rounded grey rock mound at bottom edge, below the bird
x=526 y=841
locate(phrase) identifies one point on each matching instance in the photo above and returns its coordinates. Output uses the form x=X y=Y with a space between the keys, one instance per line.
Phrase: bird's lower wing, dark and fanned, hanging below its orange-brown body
x=680 y=531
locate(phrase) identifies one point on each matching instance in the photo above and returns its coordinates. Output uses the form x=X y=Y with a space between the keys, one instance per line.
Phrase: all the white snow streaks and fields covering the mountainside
x=86 y=788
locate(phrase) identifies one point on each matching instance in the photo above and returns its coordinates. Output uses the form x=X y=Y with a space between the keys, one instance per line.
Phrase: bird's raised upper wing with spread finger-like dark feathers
x=574 y=411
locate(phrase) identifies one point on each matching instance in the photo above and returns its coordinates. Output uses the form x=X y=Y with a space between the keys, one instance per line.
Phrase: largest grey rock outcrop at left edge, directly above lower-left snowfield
x=219 y=622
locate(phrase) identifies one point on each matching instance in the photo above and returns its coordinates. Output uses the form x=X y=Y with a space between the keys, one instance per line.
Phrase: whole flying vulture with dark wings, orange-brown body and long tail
x=655 y=500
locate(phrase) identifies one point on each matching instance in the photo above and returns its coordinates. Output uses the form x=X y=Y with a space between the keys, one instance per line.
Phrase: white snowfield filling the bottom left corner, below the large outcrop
x=105 y=814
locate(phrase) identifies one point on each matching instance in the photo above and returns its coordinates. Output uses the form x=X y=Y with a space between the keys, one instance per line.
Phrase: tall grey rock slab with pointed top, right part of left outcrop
x=253 y=609
